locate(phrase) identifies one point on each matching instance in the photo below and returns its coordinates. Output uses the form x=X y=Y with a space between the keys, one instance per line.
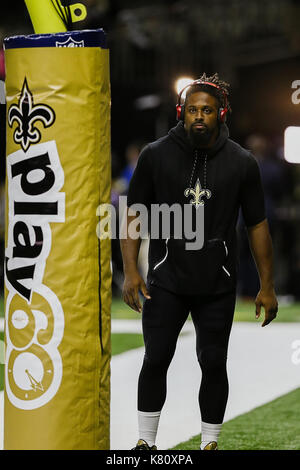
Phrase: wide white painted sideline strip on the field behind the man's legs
x=260 y=369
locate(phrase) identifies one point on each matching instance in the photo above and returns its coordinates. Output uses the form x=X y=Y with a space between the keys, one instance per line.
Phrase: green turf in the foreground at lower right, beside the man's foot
x=274 y=426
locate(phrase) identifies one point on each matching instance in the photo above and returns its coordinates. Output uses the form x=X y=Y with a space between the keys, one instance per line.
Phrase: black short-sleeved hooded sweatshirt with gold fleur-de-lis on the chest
x=165 y=169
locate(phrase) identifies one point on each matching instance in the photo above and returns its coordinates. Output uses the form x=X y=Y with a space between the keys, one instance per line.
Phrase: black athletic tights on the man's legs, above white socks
x=163 y=318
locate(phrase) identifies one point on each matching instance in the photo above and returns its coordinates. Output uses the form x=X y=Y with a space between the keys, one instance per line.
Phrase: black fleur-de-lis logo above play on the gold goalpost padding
x=26 y=114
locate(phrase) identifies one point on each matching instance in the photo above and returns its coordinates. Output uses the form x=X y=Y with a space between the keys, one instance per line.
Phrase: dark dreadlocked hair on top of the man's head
x=216 y=92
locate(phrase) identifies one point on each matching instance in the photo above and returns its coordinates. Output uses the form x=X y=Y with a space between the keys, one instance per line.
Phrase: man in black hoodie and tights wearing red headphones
x=196 y=164
